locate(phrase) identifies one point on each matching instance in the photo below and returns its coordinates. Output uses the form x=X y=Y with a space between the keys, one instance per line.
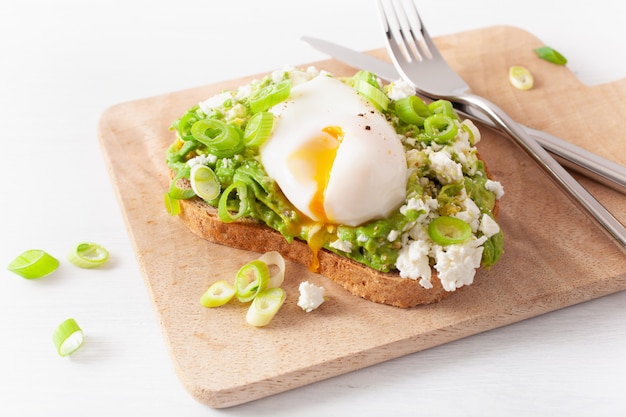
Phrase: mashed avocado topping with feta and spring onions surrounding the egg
x=447 y=189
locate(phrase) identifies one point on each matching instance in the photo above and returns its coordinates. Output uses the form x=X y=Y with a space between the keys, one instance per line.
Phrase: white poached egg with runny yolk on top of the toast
x=364 y=168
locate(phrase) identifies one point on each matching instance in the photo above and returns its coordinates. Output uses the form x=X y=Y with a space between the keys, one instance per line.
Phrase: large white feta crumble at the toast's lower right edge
x=456 y=264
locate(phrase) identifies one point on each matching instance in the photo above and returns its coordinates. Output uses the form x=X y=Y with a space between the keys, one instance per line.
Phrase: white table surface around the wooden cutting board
x=64 y=62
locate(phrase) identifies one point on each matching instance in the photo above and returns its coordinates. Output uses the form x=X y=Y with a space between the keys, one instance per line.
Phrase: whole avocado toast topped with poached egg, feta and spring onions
x=366 y=184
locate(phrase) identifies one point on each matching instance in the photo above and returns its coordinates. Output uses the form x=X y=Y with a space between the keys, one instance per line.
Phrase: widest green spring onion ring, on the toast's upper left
x=220 y=138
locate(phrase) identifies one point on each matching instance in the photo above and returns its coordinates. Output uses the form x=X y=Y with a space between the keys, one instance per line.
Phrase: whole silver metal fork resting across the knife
x=420 y=63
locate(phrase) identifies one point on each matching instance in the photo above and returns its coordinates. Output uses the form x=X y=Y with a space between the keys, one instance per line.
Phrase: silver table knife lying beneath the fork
x=570 y=156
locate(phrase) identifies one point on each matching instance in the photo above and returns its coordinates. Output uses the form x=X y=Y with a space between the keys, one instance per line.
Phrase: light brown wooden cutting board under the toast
x=554 y=256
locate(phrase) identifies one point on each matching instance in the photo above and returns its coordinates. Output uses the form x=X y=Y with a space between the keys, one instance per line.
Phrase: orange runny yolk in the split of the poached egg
x=314 y=160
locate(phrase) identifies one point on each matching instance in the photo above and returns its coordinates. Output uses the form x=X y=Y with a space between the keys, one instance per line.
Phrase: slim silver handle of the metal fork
x=574 y=190
